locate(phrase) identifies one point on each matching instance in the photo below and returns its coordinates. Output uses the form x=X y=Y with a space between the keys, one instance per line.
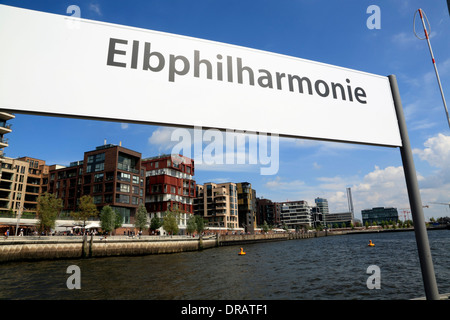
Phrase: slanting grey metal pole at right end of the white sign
x=423 y=246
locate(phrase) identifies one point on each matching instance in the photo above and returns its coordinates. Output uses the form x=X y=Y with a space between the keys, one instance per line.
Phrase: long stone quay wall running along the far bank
x=28 y=248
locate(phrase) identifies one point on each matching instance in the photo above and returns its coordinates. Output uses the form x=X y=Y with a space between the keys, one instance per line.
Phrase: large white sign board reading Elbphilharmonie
x=61 y=65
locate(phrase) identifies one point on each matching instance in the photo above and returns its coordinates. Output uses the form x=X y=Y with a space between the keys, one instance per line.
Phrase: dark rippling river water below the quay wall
x=327 y=268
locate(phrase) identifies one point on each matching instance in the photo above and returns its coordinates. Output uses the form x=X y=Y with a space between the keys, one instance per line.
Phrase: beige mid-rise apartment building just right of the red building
x=217 y=203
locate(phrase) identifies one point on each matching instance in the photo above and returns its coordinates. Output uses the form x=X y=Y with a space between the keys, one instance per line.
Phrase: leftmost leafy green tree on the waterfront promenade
x=48 y=209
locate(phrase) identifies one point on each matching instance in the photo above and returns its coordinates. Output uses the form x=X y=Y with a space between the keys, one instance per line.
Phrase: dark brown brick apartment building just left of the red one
x=111 y=174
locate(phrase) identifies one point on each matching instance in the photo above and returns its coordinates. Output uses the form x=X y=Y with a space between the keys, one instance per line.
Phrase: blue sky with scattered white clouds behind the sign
x=332 y=32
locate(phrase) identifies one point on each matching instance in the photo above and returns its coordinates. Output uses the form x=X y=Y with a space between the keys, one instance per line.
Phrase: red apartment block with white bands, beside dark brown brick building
x=170 y=186
